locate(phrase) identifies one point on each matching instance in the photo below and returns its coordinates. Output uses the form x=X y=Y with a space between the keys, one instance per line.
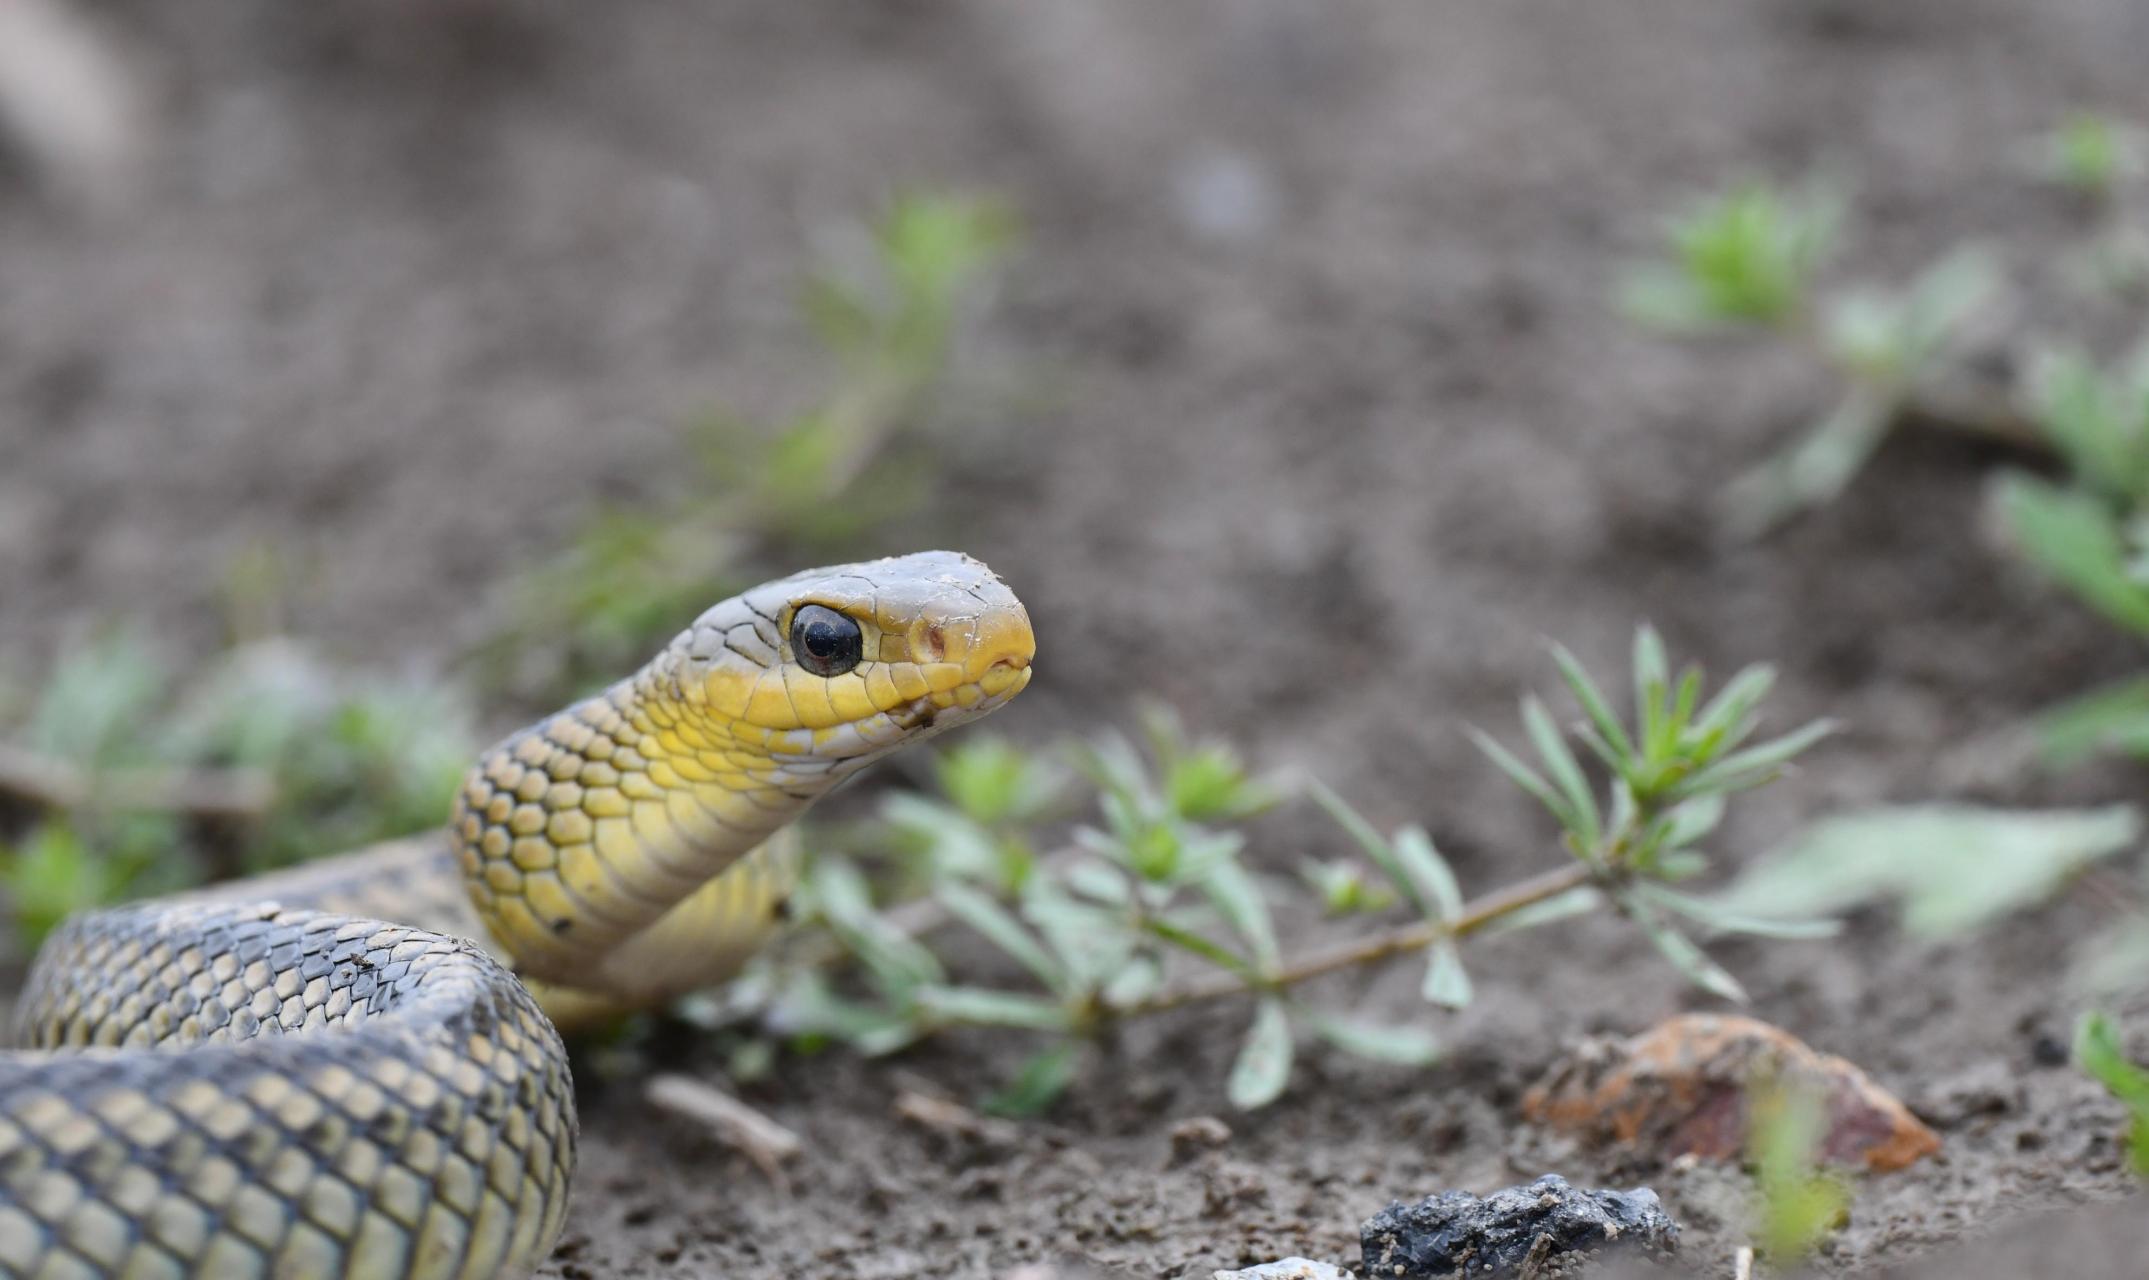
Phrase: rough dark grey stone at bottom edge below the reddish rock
x=1512 y=1232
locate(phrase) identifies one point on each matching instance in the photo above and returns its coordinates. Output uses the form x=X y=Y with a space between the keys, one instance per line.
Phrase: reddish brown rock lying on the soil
x=1684 y=1086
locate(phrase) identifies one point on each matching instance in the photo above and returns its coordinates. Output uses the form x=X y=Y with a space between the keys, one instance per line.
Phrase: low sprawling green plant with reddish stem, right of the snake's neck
x=1155 y=905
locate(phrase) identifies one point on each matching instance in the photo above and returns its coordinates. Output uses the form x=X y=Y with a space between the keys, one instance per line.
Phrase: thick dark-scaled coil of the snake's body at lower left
x=356 y=1099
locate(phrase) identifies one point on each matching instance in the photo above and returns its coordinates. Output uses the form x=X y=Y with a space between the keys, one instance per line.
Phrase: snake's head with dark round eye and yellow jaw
x=843 y=665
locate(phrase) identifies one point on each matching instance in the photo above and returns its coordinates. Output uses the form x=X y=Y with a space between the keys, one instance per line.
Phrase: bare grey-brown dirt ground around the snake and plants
x=1336 y=424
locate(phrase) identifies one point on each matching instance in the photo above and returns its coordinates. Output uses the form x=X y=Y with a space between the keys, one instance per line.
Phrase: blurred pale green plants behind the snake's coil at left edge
x=145 y=783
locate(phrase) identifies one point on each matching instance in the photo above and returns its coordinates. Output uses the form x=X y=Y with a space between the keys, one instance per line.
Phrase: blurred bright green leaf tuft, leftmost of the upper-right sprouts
x=1744 y=257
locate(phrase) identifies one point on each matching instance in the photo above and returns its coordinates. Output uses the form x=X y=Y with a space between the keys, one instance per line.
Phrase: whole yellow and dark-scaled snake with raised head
x=356 y=1068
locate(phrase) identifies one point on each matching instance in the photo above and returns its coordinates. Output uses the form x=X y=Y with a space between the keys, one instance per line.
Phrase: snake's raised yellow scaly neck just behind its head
x=588 y=828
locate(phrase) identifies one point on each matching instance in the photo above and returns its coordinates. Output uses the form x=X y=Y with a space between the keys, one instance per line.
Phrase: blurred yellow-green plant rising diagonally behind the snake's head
x=811 y=484
